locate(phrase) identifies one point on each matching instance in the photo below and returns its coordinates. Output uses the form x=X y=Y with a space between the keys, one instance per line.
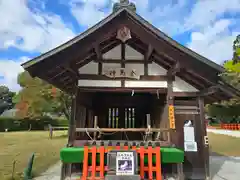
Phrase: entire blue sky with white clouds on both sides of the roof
x=32 y=27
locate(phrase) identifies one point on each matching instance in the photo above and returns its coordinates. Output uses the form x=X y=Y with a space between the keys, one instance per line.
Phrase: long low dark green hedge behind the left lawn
x=14 y=124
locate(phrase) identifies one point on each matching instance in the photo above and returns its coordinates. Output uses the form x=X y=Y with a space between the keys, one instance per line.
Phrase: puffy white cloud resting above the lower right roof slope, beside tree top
x=215 y=42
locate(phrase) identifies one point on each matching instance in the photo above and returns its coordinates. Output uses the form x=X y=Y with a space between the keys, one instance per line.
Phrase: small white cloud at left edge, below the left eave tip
x=9 y=70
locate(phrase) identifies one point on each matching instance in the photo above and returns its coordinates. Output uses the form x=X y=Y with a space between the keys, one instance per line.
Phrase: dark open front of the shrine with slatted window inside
x=124 y=110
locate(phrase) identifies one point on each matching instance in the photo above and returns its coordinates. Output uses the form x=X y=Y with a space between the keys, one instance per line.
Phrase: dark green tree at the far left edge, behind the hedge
x=6 y=97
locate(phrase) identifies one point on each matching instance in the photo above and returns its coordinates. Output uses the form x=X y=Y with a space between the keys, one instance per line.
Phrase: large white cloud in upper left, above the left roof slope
x=30 y=30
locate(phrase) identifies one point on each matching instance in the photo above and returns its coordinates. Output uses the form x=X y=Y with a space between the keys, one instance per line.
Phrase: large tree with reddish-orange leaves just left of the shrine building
x=38 y=98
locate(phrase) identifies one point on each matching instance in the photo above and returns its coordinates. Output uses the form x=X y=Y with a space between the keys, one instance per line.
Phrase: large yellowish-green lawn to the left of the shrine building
x=18 y=146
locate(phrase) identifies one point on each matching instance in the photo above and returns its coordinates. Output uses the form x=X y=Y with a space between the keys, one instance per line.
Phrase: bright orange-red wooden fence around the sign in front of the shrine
x=94 y=169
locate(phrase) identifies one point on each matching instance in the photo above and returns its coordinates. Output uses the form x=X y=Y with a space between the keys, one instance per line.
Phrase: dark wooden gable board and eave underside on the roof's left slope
x=80 y=47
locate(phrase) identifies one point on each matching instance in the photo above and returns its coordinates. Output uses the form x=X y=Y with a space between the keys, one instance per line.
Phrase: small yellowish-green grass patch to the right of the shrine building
x=224 y=145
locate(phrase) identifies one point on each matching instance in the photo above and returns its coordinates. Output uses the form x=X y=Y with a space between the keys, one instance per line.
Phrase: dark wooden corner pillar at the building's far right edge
x=204 y=133
